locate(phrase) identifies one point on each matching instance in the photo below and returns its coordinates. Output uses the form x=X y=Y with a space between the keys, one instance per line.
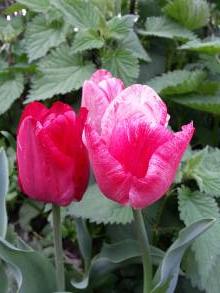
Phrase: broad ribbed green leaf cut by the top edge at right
x=193 y=14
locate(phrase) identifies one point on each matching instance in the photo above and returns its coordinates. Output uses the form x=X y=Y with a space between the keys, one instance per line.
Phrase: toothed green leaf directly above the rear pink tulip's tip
x=121 y=63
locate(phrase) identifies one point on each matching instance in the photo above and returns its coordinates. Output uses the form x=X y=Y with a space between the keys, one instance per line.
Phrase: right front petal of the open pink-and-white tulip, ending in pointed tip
x=162 y=169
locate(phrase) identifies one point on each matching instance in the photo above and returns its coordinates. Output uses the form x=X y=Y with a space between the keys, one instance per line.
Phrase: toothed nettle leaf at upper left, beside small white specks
x=41 y=36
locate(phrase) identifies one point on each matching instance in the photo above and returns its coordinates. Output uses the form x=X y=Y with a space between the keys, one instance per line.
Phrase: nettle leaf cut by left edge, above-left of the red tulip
x=11 y=87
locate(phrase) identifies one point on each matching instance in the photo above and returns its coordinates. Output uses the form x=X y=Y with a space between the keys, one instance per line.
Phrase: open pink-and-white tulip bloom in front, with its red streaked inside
x=135 y=156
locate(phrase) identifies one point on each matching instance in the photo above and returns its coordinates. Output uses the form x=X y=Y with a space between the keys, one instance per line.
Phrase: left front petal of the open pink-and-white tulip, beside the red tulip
x=111 y=177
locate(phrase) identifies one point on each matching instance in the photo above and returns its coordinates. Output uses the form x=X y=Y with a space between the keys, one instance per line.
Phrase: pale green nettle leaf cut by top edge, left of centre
x=80 y=13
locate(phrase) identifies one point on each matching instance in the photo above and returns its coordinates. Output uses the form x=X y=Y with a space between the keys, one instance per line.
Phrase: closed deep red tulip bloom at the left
x=52 y=161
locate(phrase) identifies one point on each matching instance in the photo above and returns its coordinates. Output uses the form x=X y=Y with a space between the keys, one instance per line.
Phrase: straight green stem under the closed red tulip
x=58 y=248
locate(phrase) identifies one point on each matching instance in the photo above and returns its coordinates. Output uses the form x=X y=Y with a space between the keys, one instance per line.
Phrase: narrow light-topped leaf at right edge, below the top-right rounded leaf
x=211 y=46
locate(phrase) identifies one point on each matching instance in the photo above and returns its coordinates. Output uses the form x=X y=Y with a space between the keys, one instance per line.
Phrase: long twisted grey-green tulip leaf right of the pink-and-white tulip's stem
x=169 y=268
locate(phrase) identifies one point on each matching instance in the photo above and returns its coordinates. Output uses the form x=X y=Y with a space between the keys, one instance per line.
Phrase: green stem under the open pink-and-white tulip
x=145 y=249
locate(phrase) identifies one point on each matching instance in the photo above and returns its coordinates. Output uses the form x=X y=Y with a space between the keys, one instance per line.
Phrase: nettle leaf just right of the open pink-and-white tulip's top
x=177 y=82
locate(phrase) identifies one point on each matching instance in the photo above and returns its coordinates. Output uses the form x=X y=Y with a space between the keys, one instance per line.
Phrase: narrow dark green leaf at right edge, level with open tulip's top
x=210 y=104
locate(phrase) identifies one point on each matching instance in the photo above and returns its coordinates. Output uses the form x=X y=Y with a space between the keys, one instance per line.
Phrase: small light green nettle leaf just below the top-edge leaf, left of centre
x=86 y=40
